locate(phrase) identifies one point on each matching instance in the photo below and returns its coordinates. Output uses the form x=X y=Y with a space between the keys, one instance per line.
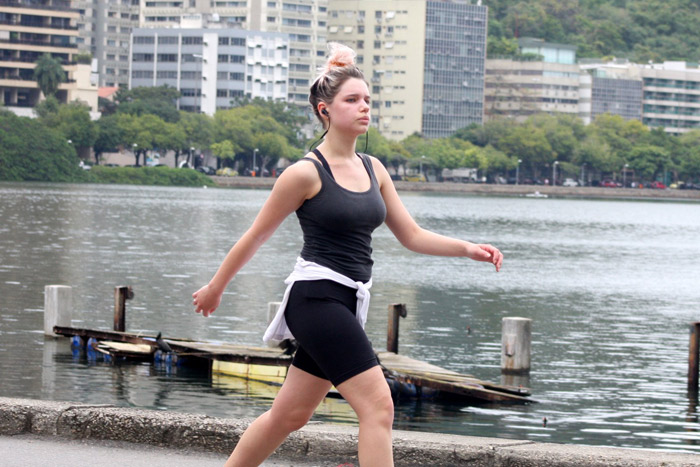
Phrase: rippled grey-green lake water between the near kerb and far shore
x=611 y=287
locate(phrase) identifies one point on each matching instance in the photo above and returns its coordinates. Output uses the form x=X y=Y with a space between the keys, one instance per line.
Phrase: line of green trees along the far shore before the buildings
x=145 y=120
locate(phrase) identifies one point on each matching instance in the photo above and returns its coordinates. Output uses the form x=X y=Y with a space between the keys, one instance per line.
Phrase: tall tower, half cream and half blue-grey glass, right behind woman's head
x=424 y=61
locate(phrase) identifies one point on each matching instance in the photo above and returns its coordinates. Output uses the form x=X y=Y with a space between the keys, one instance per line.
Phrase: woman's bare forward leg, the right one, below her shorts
x=369 y=396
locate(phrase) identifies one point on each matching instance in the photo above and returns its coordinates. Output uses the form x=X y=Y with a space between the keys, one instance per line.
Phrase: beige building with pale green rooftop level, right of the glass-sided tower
x=545 y=79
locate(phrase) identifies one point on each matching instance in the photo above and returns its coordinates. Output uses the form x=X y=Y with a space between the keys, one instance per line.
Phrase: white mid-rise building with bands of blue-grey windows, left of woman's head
x=211 y=67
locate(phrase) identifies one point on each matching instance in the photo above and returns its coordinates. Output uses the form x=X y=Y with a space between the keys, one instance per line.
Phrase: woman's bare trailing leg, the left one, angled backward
x=295 y=403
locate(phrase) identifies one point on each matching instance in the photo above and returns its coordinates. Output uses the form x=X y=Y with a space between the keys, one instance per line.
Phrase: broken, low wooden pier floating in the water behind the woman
x=270 y=365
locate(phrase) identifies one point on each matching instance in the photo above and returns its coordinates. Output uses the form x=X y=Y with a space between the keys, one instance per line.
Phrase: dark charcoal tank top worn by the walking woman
x=338 y=223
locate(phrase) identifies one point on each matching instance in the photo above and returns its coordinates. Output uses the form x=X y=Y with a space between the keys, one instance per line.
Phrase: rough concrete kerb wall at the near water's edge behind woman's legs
x=318 y=442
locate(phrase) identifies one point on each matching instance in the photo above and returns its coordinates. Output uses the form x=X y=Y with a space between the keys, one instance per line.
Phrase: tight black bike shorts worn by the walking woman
x=332 y=344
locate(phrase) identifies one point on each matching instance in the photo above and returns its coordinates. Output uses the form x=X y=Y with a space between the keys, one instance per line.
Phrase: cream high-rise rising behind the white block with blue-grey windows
x=304 y=21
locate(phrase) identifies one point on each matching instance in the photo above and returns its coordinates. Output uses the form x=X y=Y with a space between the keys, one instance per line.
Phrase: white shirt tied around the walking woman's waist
x=309 y=271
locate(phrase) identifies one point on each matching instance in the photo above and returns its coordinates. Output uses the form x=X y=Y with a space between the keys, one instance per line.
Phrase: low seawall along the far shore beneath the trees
x=499 y=190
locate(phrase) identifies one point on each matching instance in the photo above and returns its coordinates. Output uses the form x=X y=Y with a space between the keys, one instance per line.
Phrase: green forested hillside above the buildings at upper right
x=641 y=30
